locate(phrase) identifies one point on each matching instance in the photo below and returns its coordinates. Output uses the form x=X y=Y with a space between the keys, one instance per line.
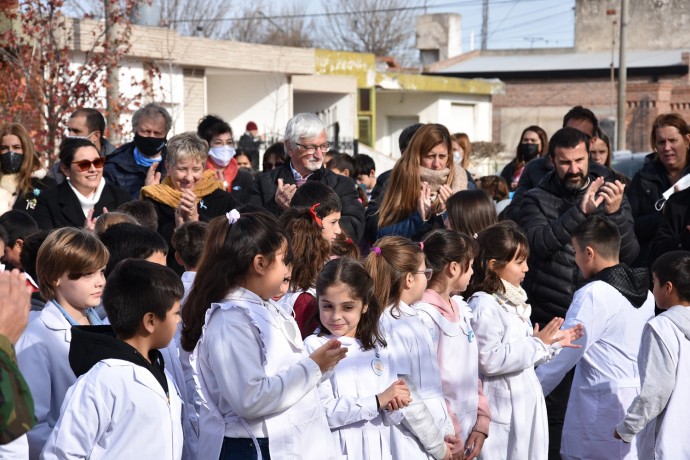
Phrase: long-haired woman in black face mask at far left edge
x=22 y=178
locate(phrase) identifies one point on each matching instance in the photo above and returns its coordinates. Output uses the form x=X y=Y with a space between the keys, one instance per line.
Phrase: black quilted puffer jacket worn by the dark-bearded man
x=549 y=214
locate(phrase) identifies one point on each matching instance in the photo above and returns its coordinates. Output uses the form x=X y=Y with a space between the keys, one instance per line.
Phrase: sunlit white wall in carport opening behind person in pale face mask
x=264 y=99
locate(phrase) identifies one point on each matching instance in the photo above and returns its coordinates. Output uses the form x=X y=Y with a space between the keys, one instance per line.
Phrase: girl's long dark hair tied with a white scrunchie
x=232 y=242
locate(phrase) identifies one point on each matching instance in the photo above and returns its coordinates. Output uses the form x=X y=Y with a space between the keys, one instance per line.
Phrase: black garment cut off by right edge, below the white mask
x=673 y=233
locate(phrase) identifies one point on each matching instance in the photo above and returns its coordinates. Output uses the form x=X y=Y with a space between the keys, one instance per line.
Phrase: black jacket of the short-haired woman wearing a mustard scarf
x=213 y=205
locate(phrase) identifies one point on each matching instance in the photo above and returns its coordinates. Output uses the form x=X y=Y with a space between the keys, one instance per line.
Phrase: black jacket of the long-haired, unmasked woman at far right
x=644 y=191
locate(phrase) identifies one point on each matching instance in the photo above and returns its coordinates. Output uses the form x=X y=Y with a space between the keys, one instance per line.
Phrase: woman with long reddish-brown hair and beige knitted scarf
x=424 y=177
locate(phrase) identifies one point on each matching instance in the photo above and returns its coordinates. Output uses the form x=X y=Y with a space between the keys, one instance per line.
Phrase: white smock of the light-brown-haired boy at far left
x=43 y=358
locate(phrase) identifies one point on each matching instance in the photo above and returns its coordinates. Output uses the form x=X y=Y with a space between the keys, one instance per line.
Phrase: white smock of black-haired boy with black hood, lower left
x=118 y=410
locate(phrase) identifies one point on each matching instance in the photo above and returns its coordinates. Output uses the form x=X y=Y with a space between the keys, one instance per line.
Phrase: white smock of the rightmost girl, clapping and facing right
x=507 y=356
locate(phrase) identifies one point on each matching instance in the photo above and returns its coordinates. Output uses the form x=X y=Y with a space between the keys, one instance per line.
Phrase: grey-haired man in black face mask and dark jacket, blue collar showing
x=141 y=162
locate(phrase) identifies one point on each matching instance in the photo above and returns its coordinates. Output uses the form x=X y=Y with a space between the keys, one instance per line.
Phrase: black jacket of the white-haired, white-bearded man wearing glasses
x=352 y=213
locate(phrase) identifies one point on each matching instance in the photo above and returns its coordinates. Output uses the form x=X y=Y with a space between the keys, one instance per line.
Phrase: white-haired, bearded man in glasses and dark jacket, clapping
x=305 y=145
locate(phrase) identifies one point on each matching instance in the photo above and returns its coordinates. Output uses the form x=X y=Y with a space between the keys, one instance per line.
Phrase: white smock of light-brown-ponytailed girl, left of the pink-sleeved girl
x=412 y=353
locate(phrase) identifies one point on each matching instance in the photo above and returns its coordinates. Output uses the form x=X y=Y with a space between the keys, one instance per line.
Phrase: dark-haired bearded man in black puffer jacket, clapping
x=549 y=214
